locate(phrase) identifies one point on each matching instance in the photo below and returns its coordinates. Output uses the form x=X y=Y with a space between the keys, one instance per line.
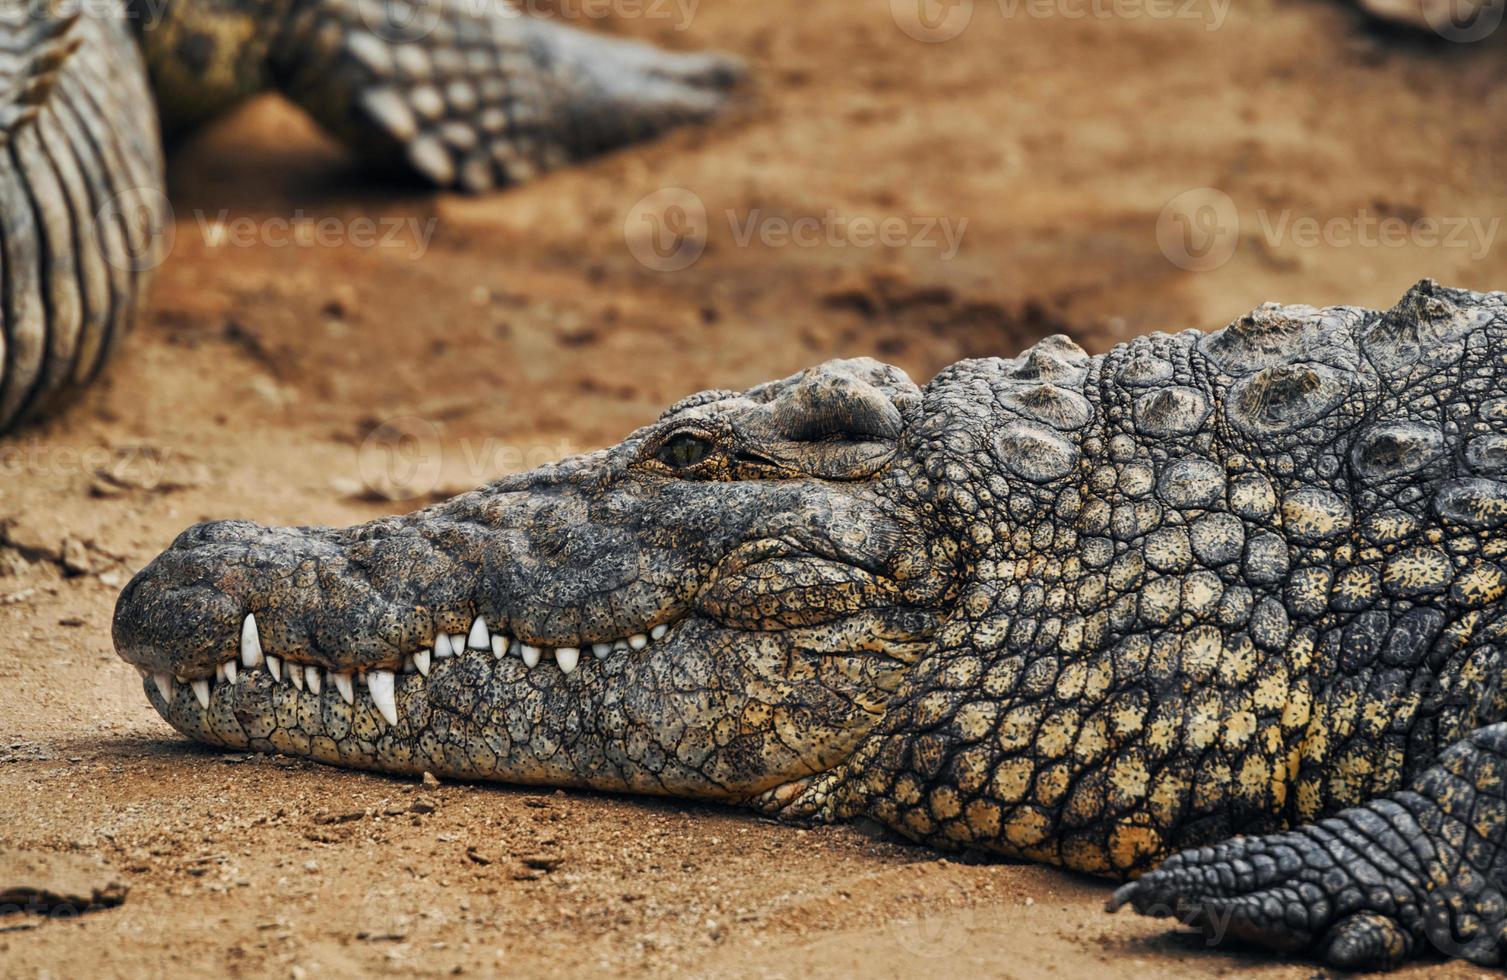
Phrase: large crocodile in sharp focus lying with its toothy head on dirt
x=1220 y=616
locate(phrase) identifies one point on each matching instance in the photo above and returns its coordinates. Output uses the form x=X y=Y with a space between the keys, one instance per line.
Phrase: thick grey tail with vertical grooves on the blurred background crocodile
x=81 y=201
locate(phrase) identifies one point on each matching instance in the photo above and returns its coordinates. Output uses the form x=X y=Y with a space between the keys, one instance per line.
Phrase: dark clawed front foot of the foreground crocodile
x=1371 y=886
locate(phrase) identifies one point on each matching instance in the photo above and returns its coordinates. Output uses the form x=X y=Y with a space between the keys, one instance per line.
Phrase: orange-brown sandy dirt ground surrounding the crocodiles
x=298 y=382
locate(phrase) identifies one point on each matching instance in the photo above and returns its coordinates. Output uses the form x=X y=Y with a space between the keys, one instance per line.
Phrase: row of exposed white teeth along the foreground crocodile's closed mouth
x=379 y=682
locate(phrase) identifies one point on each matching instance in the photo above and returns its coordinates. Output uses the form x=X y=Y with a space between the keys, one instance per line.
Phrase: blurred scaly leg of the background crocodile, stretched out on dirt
x=477 y=96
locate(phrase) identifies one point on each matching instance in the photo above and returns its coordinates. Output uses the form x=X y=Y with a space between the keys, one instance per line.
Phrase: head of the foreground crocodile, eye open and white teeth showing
x=721 y=607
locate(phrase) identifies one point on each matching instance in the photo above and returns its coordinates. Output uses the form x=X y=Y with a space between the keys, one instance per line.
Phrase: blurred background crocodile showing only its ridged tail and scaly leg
x=465 y=96
